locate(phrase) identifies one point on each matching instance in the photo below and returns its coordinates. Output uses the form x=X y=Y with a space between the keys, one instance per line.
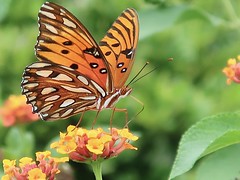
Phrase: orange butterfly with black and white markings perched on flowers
x=74 y=74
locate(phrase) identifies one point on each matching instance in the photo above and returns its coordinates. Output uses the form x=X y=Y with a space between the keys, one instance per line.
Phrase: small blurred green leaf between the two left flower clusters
x=19 y=143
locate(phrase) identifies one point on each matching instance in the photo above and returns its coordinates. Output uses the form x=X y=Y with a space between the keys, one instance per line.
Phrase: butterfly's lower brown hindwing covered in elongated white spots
x=56 y=91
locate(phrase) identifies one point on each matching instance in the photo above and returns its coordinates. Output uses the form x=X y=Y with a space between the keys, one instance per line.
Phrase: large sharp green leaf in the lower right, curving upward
x=207 y=136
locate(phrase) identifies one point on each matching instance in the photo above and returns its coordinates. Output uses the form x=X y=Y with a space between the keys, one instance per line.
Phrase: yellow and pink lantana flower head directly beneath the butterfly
x=95 y=144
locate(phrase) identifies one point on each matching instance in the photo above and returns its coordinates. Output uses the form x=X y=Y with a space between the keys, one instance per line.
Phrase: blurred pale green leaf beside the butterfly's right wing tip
x=156 y=20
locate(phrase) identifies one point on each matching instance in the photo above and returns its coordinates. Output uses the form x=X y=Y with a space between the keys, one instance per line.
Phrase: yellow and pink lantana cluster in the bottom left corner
x=45 y=167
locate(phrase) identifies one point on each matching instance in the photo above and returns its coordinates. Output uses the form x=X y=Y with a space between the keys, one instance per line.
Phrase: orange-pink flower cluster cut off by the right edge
x=232 y=71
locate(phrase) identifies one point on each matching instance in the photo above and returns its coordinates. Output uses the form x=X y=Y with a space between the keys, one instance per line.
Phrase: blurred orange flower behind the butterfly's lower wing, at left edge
x=15 y=110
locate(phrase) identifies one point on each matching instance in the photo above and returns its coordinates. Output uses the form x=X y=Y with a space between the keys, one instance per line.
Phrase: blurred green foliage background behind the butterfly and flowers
x=199 y=35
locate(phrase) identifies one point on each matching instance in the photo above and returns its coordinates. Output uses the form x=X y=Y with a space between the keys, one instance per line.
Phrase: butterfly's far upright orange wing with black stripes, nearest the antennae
x=119 y=46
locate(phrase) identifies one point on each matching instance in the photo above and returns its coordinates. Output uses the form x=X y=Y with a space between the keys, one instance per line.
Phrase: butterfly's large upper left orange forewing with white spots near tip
x=64 y=40
